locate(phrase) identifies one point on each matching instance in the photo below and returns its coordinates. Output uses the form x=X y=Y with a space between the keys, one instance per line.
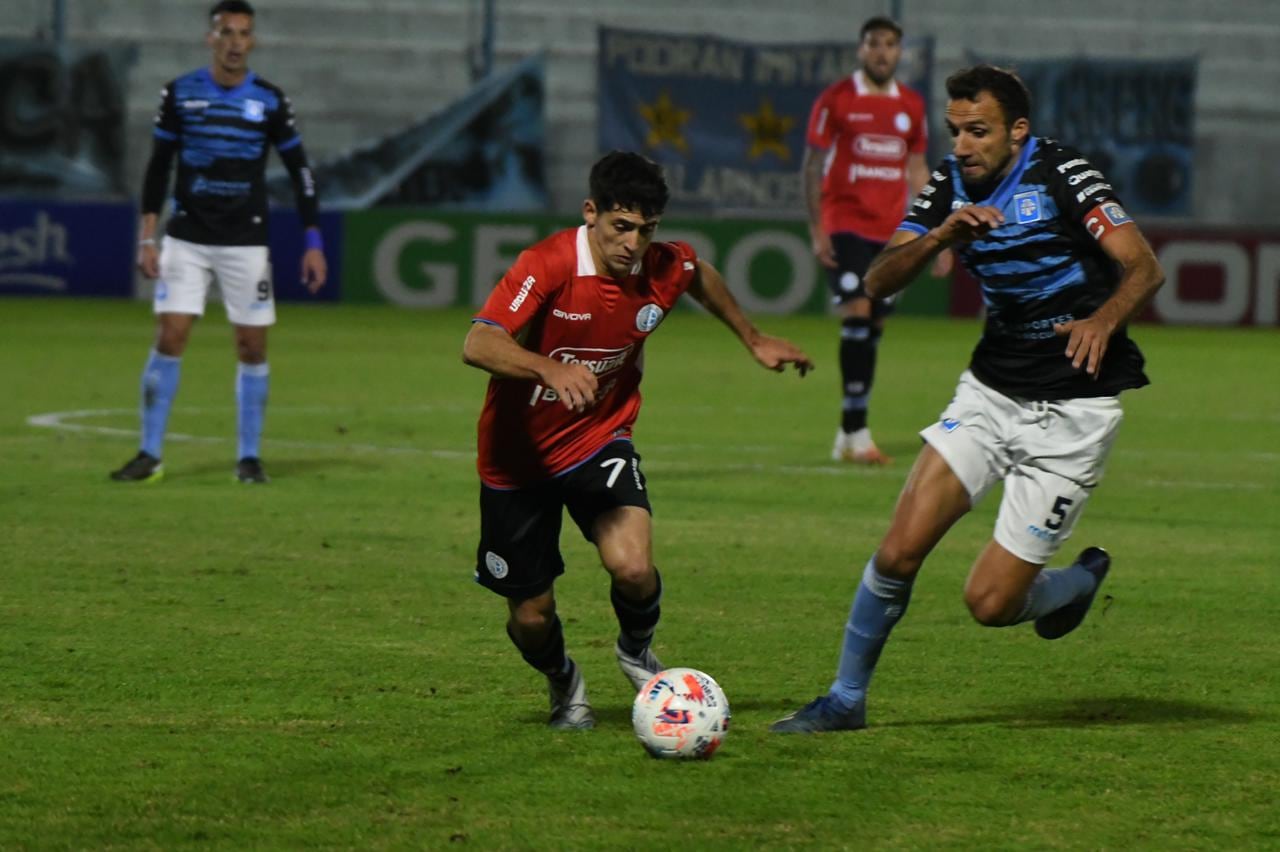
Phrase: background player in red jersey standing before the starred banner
x=867 y=145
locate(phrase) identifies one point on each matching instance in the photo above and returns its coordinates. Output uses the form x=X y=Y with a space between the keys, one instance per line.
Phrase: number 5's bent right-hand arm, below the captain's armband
x=1141 y=277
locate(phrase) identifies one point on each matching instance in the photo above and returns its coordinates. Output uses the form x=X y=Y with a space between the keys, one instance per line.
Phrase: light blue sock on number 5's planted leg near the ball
x=879 y=606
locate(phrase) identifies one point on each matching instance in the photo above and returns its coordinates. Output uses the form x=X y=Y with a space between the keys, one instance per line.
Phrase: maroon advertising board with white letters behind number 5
x=1213 y=278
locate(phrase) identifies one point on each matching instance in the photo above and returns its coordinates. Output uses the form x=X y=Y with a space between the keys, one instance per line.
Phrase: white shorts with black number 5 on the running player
x=1050 y=456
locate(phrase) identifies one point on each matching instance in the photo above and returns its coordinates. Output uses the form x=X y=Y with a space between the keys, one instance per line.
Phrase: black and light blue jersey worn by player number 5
x=1039 y=269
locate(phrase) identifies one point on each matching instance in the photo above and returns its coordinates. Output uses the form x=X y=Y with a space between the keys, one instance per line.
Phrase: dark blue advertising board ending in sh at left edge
x=61 y=249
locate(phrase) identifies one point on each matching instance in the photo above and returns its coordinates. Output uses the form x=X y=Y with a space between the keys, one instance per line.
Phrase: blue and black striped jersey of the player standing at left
x=223 y=138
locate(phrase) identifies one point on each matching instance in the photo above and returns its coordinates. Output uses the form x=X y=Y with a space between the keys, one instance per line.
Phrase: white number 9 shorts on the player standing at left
x=244 y=276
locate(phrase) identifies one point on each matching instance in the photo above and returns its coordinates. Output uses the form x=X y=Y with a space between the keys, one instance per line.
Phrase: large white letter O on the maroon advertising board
x=1235 y=263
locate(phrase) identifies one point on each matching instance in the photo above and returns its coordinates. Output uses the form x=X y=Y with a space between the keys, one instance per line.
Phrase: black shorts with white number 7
x=519 y=555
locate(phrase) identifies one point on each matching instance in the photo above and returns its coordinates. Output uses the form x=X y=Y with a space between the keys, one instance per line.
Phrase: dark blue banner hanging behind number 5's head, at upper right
x=1133 y=120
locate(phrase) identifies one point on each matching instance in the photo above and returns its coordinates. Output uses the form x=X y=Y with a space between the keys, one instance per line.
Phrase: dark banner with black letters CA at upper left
x=62 y=118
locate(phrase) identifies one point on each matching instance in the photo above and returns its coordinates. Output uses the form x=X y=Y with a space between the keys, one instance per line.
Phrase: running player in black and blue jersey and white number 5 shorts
x=1059 y=260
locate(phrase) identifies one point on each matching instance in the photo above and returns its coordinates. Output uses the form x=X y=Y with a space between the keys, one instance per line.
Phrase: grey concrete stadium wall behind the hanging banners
x=358 y=71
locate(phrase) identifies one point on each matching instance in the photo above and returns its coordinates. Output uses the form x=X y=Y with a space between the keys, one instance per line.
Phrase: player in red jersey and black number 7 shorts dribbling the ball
x=563 y=336
